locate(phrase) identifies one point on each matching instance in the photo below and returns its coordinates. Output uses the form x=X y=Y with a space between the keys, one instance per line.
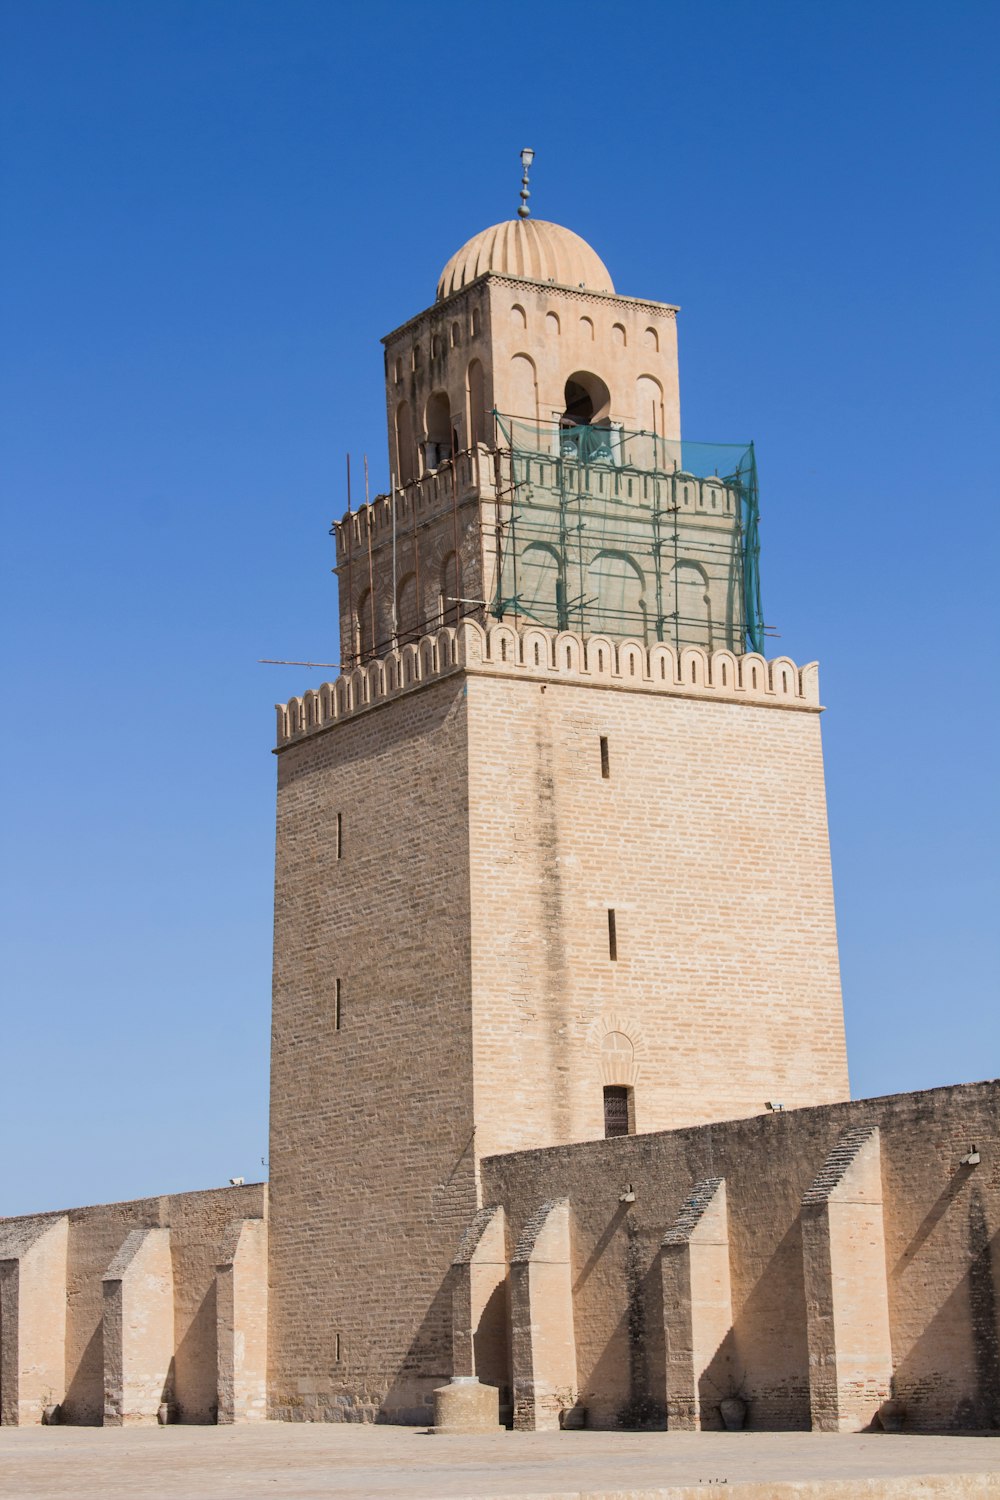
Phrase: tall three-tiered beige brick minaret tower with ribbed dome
x=552 y=857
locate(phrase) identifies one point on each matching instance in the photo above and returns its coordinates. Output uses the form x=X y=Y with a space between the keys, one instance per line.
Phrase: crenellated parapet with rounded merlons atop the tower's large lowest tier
x=552 y=658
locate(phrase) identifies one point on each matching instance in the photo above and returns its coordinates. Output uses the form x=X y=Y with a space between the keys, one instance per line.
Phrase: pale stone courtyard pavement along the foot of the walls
x=308 y=1462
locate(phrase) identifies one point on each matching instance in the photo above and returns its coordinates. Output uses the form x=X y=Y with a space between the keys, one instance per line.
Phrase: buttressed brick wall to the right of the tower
x=863 y=1259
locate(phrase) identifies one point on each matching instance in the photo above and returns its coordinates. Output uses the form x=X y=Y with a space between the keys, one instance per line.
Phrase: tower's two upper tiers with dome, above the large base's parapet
x=537 y=467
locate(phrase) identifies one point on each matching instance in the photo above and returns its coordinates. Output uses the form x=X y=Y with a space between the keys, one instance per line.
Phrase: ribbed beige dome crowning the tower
x=527 y=248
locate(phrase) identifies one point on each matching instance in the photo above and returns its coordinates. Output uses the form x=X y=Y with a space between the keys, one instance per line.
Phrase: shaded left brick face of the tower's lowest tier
x=373 y=1157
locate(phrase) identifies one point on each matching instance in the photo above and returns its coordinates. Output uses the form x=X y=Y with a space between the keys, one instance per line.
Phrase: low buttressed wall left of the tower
x=112 y=1312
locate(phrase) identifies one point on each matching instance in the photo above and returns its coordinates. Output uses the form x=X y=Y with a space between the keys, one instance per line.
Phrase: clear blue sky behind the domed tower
x=211 y=215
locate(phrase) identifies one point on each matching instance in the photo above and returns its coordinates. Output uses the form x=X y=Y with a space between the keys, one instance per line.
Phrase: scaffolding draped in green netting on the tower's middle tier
x=608 y=532
